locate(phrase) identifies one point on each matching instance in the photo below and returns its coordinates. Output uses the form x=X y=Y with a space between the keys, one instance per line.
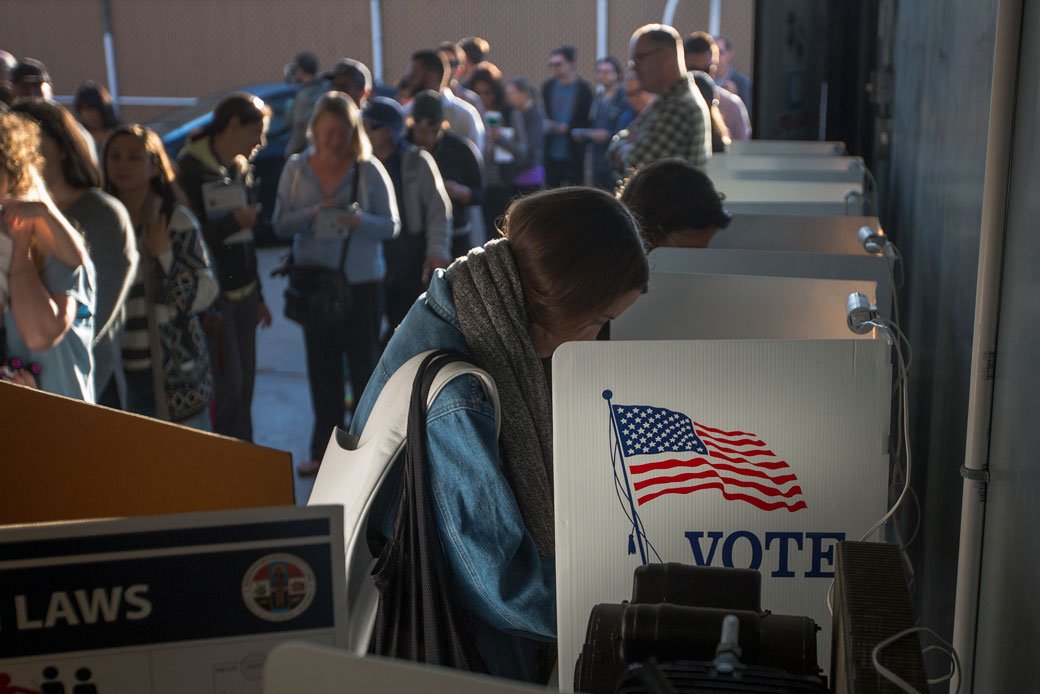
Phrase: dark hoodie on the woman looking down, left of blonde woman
x=237 y=263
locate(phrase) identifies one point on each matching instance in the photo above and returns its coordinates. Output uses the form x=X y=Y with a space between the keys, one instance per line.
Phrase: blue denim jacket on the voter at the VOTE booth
x=500 y=578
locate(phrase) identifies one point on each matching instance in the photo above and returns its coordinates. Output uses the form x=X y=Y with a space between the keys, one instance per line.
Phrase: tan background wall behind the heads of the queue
x=190 y=48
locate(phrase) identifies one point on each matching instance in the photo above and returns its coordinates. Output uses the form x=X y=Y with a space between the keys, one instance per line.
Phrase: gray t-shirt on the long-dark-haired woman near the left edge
x=113 y=246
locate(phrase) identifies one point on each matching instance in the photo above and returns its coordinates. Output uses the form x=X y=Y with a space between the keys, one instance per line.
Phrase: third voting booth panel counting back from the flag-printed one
x=779 y=264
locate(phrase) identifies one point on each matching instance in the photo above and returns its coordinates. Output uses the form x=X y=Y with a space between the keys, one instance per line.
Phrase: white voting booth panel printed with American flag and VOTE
x=748 y=454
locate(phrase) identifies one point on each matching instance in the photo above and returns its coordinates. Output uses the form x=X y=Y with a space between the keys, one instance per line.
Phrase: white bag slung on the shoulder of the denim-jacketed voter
x=353 y=472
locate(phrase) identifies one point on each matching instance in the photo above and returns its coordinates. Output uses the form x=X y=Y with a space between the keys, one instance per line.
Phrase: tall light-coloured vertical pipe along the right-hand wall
x=995 y=212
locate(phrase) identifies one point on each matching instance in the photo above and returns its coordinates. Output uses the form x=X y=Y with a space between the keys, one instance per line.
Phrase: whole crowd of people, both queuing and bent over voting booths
x=131 y=280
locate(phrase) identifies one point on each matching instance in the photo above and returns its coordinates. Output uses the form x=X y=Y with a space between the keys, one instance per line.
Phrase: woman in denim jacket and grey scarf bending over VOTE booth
x=571 y=260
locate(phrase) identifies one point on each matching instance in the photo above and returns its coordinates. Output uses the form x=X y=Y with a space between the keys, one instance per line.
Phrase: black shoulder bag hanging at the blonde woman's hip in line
x=316 y=296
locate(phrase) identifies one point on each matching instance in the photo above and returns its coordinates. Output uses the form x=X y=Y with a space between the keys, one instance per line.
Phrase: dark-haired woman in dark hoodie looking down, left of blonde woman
x=217 y=176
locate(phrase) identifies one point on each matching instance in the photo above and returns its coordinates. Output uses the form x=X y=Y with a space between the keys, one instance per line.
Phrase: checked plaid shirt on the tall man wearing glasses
x=677 y=125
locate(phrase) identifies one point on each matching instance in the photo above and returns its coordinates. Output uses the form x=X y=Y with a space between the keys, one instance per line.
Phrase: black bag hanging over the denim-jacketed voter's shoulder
x=419 y=618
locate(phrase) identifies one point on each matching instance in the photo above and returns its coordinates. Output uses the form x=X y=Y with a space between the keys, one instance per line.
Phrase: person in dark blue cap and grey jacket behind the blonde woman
x=425 y=243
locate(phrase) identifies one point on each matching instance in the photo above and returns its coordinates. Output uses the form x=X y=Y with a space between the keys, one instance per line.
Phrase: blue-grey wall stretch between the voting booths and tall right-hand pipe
x=943 y=62
